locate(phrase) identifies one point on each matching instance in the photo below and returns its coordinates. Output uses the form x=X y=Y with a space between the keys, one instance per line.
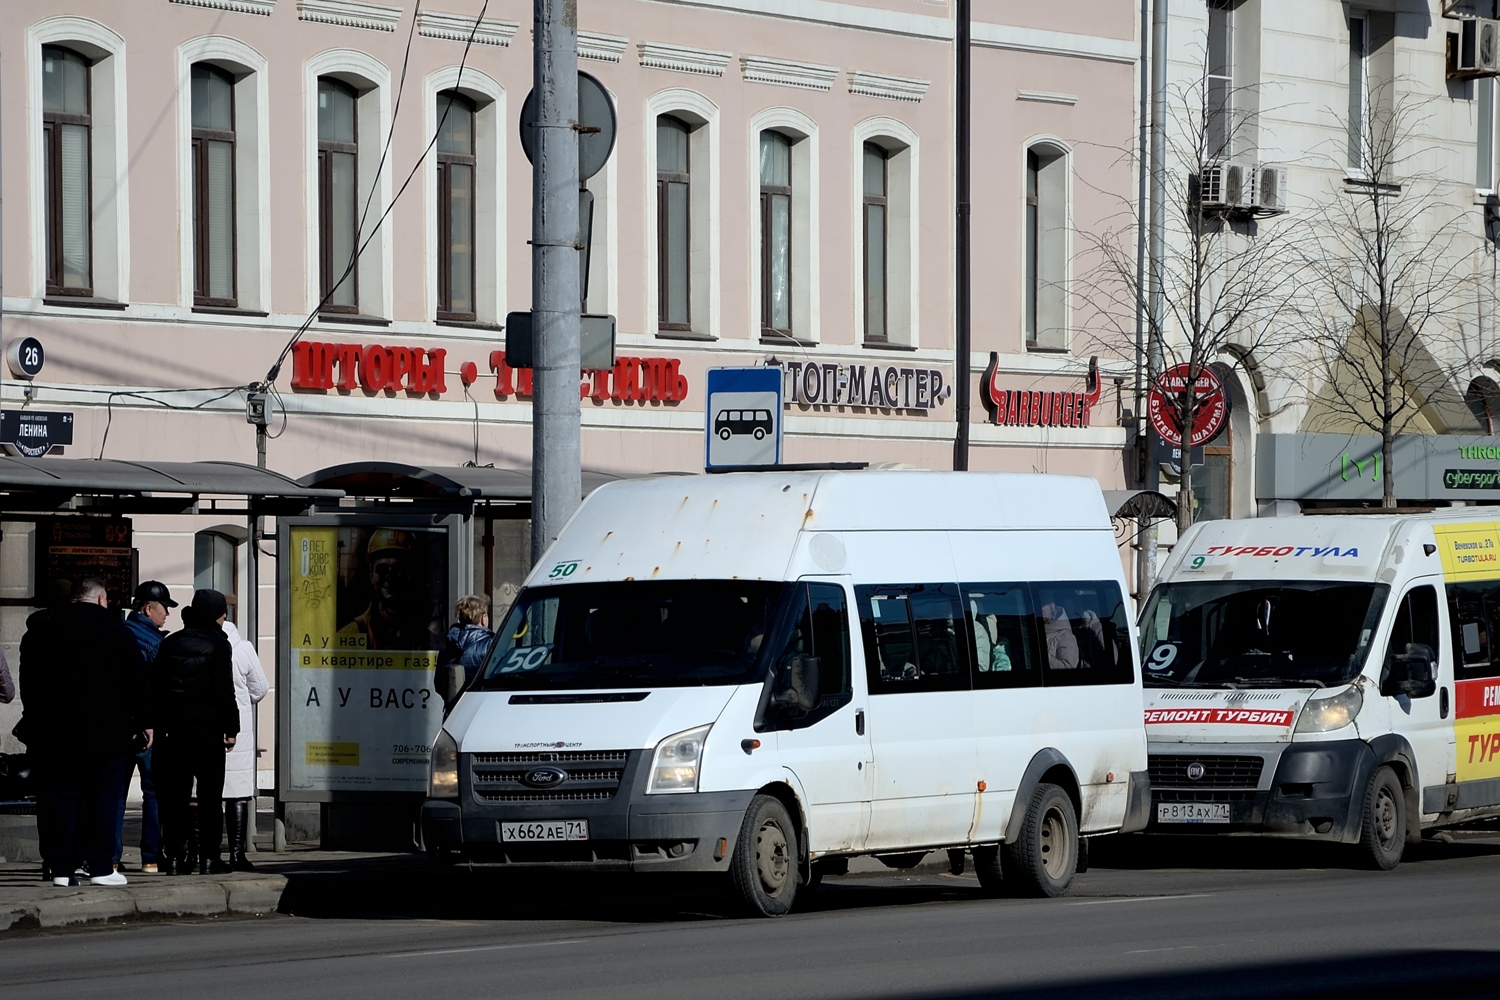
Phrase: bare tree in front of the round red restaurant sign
x=1226 y=278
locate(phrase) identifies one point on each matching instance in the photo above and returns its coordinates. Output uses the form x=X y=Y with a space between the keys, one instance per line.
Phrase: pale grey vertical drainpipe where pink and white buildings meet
x=1147 y=569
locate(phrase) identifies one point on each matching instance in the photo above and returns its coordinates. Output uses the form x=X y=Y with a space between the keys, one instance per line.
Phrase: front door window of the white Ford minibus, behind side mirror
x=820 y=629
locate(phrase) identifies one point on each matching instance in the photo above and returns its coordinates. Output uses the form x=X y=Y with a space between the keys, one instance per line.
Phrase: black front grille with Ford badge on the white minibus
x=589 y=776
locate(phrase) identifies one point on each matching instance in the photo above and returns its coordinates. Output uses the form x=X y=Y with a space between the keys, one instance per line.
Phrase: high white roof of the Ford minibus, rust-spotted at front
x=746 y=524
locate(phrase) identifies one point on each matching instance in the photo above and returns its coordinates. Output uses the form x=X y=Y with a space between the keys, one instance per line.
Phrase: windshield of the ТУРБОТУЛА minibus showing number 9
x=1259 y=633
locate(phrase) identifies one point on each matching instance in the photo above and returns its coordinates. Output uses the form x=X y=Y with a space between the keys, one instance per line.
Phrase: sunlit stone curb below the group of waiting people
x=91 y=905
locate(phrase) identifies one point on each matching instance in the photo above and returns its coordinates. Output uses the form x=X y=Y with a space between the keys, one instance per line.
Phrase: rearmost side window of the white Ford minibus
x=1085 y=633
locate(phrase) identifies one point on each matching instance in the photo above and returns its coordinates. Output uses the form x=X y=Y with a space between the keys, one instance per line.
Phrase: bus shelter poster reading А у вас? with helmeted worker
x=367 y=621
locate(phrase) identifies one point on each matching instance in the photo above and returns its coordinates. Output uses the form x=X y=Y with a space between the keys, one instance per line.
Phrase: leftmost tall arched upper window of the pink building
x=68 y=169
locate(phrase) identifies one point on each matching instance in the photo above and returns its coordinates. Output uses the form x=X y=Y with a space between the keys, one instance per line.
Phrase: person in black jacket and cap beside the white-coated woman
x=197 y=722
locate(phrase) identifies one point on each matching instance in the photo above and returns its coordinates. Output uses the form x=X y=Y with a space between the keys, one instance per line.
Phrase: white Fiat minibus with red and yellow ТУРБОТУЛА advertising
x=1327 y=677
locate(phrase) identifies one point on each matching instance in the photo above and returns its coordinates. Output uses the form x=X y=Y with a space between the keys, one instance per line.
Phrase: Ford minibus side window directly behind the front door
x=913 y=638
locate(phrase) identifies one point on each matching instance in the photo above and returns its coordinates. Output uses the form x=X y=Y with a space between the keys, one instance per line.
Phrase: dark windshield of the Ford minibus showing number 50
x=634 y=633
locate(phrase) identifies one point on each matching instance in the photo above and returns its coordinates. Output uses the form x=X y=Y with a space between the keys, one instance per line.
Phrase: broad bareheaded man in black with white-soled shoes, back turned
x=88 y=710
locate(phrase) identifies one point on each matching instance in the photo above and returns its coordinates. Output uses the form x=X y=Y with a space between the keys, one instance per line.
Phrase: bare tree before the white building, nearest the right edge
x=1388 y=281
